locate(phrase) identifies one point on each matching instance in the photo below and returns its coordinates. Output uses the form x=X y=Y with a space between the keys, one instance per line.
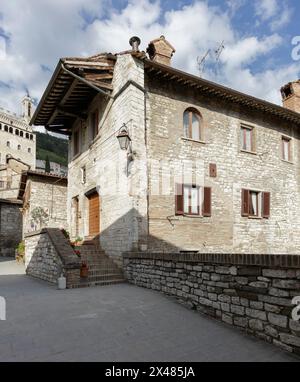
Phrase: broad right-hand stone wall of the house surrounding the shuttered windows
x=263 y=170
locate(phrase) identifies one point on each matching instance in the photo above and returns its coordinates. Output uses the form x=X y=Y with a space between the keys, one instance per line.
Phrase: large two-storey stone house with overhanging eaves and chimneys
x=164 y=161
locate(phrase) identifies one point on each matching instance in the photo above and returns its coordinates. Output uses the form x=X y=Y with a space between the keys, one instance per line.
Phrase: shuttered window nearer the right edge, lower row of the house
x=255 y=204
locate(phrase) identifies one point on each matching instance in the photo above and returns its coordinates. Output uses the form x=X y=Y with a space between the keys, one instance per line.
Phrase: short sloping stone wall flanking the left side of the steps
x=48 y=254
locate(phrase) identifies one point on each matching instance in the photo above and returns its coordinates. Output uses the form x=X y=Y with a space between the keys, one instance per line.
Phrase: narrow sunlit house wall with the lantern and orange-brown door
x=122 y=186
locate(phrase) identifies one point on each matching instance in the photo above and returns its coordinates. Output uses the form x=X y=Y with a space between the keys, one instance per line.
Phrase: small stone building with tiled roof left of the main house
x=44 y=198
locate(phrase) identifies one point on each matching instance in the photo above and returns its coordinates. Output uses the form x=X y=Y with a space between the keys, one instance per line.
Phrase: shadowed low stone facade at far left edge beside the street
x=10 y=227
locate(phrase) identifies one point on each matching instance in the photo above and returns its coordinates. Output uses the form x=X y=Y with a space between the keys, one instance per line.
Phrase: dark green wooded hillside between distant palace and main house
x=55 y=148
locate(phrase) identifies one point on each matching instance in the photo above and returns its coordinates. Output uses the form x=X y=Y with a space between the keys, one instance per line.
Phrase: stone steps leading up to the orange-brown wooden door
x=102 y=269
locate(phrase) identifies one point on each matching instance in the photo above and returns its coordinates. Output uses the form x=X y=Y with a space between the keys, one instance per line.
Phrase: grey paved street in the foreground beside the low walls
x=113 y=323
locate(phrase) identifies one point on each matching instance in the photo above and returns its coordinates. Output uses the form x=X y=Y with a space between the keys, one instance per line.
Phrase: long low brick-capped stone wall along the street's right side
x=251 y=292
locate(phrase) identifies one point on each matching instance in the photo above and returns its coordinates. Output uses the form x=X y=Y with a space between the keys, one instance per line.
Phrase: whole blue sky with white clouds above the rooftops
x=257 y=58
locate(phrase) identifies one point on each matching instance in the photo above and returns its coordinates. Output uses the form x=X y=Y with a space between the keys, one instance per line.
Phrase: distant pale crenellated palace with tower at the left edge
x=17 y=142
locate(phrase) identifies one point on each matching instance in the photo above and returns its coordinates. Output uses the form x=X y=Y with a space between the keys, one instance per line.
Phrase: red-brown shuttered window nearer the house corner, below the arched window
x=192 y=200
